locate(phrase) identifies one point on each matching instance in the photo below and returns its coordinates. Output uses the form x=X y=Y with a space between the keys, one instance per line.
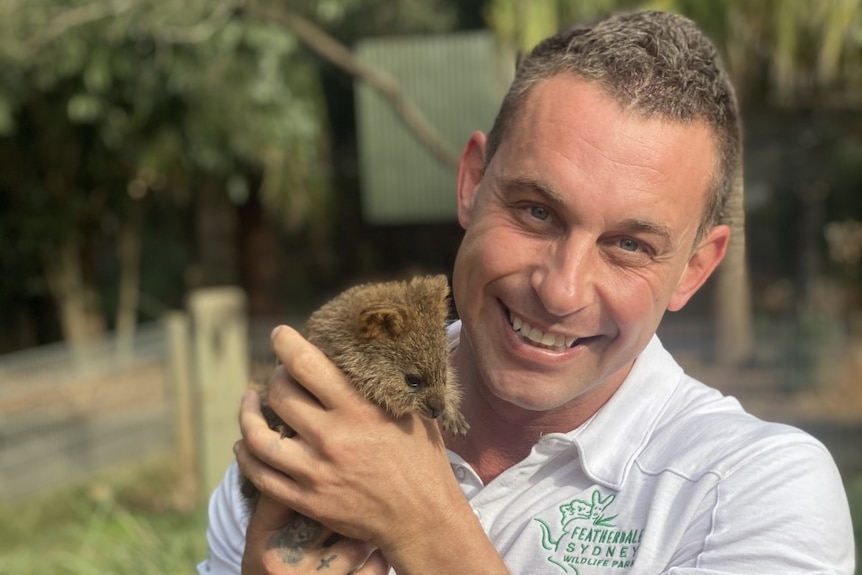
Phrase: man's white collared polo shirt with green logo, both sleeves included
x=668 y=477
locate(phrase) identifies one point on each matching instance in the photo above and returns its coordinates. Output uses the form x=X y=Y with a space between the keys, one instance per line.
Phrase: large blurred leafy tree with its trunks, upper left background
x=108 y=106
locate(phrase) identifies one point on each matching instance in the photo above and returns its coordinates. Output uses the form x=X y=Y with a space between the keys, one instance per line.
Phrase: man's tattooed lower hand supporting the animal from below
x=280 y=541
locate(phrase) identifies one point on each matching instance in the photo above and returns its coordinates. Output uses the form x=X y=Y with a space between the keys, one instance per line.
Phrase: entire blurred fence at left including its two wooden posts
x=66 y=415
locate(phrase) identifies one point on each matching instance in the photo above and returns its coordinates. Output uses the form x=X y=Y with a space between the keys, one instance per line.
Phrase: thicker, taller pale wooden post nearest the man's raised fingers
x=221 y=375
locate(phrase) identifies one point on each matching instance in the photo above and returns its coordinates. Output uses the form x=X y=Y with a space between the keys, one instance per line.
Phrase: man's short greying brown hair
x=655 y=63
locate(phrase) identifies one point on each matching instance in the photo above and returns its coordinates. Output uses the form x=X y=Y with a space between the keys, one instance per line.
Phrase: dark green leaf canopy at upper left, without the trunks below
x=170 y=86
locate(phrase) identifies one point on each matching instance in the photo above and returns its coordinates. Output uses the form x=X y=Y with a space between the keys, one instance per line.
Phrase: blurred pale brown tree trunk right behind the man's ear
x=733 y=314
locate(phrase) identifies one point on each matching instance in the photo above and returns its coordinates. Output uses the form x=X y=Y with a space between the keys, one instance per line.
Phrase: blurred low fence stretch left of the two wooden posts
x=63 y=415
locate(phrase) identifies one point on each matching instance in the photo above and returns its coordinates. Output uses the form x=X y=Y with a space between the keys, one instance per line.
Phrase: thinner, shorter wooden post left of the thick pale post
x=185 y=414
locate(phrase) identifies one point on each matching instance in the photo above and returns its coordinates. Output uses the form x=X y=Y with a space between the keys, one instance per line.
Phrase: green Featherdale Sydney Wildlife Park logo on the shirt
x=589 y=536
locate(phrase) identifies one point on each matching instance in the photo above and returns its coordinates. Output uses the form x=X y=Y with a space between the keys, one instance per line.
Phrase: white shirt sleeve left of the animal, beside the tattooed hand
x=226 y=528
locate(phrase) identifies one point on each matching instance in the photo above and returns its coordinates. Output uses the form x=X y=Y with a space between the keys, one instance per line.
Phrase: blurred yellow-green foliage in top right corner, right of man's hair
x=800 y=53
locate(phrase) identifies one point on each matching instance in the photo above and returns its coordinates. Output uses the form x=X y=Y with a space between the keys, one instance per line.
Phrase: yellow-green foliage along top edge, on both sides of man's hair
x=793 y=53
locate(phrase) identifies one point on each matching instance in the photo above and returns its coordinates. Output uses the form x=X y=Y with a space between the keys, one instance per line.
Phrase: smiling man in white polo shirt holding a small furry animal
x=592 y=207
